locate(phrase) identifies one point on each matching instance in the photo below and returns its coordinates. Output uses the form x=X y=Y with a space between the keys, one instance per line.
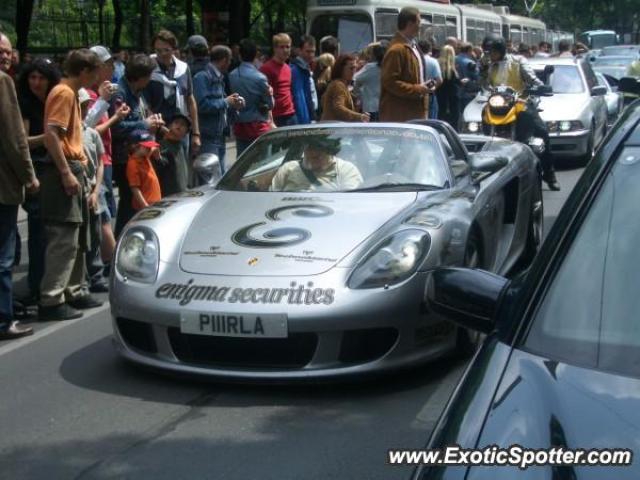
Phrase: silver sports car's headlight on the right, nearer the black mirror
x=391 y=261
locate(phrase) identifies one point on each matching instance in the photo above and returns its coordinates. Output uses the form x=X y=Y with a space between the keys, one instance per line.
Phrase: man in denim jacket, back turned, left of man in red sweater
x=253 y=86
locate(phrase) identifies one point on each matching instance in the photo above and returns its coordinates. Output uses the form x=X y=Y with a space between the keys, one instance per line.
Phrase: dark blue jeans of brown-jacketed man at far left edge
x=8 y=229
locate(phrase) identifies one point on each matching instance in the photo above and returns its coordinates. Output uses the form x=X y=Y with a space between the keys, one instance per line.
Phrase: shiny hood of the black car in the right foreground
x=542 y=403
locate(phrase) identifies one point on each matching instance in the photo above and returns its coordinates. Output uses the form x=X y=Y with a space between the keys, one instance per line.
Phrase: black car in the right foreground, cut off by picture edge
x=560 y=366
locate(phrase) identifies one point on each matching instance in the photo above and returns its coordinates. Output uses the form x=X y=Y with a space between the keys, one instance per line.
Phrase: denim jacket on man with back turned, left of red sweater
x=252 y=85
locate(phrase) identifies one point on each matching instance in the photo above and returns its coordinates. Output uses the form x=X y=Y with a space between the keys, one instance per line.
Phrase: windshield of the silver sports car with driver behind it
x=340 y=159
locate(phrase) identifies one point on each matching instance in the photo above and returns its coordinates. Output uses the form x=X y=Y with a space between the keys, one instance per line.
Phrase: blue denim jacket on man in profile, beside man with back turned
x=208 y=90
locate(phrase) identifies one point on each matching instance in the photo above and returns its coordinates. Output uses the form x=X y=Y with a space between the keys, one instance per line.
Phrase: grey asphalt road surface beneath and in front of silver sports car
x=71 y=409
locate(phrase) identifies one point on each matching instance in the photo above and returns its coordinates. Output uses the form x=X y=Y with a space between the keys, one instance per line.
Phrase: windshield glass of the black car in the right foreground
x=589 y=315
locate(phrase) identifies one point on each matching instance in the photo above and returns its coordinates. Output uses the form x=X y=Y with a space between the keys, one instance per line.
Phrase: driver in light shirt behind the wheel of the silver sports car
x=318 y=170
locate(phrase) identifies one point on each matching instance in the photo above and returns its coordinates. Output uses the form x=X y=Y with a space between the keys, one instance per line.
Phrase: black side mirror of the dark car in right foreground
x=465 y=296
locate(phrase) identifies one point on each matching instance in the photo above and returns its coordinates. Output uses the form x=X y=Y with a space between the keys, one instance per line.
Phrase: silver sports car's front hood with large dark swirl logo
x=260 y=234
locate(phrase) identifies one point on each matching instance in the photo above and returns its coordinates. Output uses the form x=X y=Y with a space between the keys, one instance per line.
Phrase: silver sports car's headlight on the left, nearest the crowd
x=138 y=255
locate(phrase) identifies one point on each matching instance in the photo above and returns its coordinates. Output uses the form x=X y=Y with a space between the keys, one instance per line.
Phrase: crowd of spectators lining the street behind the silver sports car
x=74 y=130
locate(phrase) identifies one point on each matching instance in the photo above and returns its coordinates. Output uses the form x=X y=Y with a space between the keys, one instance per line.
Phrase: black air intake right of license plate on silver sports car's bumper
x=360 y=346
